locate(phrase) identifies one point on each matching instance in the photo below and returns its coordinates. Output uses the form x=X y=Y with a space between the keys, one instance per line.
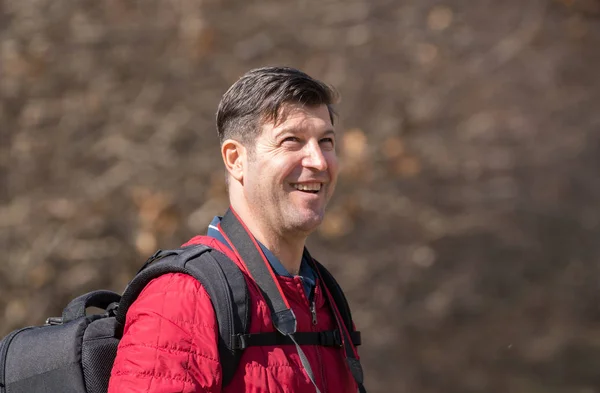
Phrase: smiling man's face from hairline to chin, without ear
x=292 y=170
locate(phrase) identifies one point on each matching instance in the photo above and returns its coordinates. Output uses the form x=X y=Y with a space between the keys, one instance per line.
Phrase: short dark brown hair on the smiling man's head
x=259 y=95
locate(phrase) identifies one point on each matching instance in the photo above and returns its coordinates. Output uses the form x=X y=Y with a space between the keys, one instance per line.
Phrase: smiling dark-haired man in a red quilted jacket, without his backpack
x=278 y=144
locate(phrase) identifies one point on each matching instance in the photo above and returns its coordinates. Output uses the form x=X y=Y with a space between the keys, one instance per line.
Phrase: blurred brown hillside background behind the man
x=466 y=223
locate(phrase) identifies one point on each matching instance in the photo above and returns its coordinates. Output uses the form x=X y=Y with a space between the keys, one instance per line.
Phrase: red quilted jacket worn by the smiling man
x=170 y=342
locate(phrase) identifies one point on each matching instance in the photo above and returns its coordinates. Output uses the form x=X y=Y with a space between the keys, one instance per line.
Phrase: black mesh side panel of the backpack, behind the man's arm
x=97 y=358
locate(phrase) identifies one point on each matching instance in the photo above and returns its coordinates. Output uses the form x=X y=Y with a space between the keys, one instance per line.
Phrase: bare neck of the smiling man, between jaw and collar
x=287 y=248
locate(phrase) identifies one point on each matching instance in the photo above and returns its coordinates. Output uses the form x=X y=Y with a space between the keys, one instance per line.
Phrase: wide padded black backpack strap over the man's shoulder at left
x=224 y=283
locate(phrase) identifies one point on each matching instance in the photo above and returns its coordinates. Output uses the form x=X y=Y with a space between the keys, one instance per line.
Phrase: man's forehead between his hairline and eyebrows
x=300 y=118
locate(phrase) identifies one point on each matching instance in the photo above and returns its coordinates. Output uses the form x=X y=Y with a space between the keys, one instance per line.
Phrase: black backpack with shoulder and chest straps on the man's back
x=74 y=353
